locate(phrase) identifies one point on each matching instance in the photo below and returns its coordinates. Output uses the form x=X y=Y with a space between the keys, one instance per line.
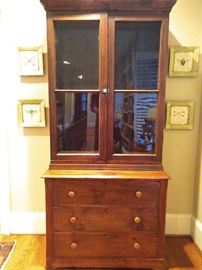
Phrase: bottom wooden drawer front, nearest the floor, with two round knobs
x=105 y=245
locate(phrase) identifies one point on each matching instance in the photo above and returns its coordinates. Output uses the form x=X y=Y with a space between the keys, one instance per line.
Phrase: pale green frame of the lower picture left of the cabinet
x=21 y=117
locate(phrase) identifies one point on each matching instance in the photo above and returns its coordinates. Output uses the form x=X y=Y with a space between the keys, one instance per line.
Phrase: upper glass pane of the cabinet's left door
x=77 y=54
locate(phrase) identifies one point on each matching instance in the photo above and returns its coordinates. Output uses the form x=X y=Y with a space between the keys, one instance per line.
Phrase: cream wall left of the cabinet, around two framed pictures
x=25 y=151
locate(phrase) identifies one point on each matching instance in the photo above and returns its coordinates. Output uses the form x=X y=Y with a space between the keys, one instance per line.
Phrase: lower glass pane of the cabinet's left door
x=77 y=121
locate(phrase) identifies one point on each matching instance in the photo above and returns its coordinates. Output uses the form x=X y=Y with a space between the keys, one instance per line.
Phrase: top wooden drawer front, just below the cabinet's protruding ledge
x=106 y=192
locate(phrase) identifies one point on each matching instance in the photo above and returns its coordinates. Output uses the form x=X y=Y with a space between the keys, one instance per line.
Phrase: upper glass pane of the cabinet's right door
x=137 y=53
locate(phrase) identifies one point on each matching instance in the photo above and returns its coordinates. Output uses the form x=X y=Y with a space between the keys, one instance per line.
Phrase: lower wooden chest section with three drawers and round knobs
x=106 y=222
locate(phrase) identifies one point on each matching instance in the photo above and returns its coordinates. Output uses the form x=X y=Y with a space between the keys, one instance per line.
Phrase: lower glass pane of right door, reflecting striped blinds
x=134 y=122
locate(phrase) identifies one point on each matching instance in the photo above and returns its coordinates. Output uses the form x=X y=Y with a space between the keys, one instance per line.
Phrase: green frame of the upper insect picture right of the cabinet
x=195 y=65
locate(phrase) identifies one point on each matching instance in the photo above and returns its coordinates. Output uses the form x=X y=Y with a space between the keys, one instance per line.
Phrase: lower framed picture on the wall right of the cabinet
x=180 y=115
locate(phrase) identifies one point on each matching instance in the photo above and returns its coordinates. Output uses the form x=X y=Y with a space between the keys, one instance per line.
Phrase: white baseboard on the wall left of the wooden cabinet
x=27 y=223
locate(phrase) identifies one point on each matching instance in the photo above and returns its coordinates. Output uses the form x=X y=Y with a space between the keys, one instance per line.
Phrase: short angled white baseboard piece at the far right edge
x=196 y=231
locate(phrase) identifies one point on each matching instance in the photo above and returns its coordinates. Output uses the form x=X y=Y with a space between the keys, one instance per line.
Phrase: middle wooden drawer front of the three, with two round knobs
x=101 y=219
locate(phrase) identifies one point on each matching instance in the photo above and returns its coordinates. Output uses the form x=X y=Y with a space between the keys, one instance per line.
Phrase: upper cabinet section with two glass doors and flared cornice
x=107 y=74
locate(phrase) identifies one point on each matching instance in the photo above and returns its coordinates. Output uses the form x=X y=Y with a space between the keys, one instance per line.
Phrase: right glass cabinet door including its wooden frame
x=135 y=88
